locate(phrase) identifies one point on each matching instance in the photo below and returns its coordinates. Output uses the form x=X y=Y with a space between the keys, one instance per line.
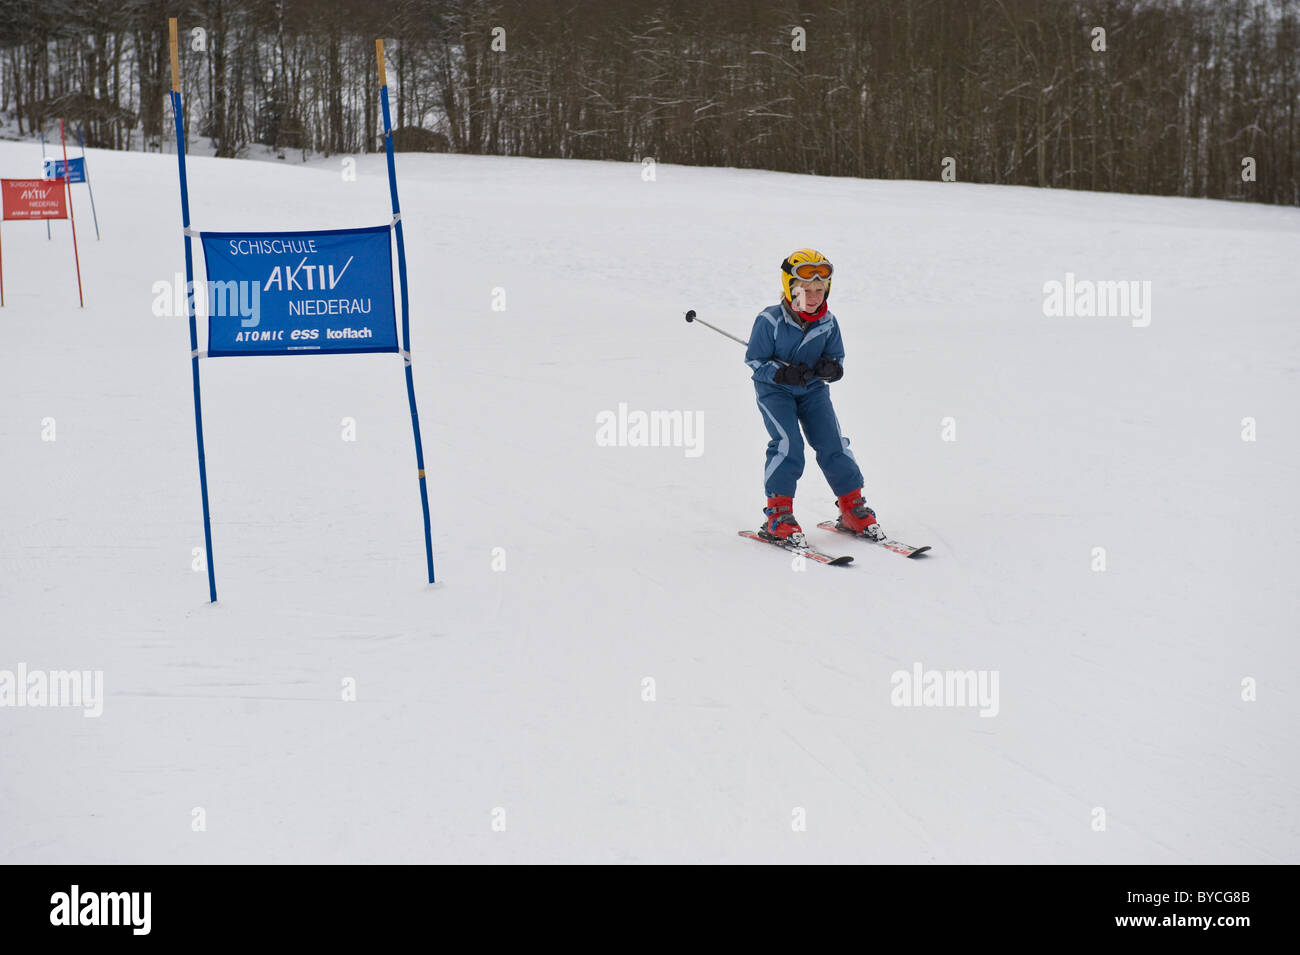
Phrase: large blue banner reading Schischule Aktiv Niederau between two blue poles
x=301 y=293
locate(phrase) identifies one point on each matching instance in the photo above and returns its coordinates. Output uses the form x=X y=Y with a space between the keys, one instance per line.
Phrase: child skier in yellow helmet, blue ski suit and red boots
x=795 y=351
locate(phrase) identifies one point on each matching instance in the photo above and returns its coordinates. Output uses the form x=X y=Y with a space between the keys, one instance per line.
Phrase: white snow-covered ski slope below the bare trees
x=517 y=696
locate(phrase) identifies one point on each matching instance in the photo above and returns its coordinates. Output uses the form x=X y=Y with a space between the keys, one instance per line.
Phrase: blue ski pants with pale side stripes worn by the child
x=785 y=410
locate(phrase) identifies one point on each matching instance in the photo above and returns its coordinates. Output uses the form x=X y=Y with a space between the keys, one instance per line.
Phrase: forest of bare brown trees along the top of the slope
x=1016 y=92
